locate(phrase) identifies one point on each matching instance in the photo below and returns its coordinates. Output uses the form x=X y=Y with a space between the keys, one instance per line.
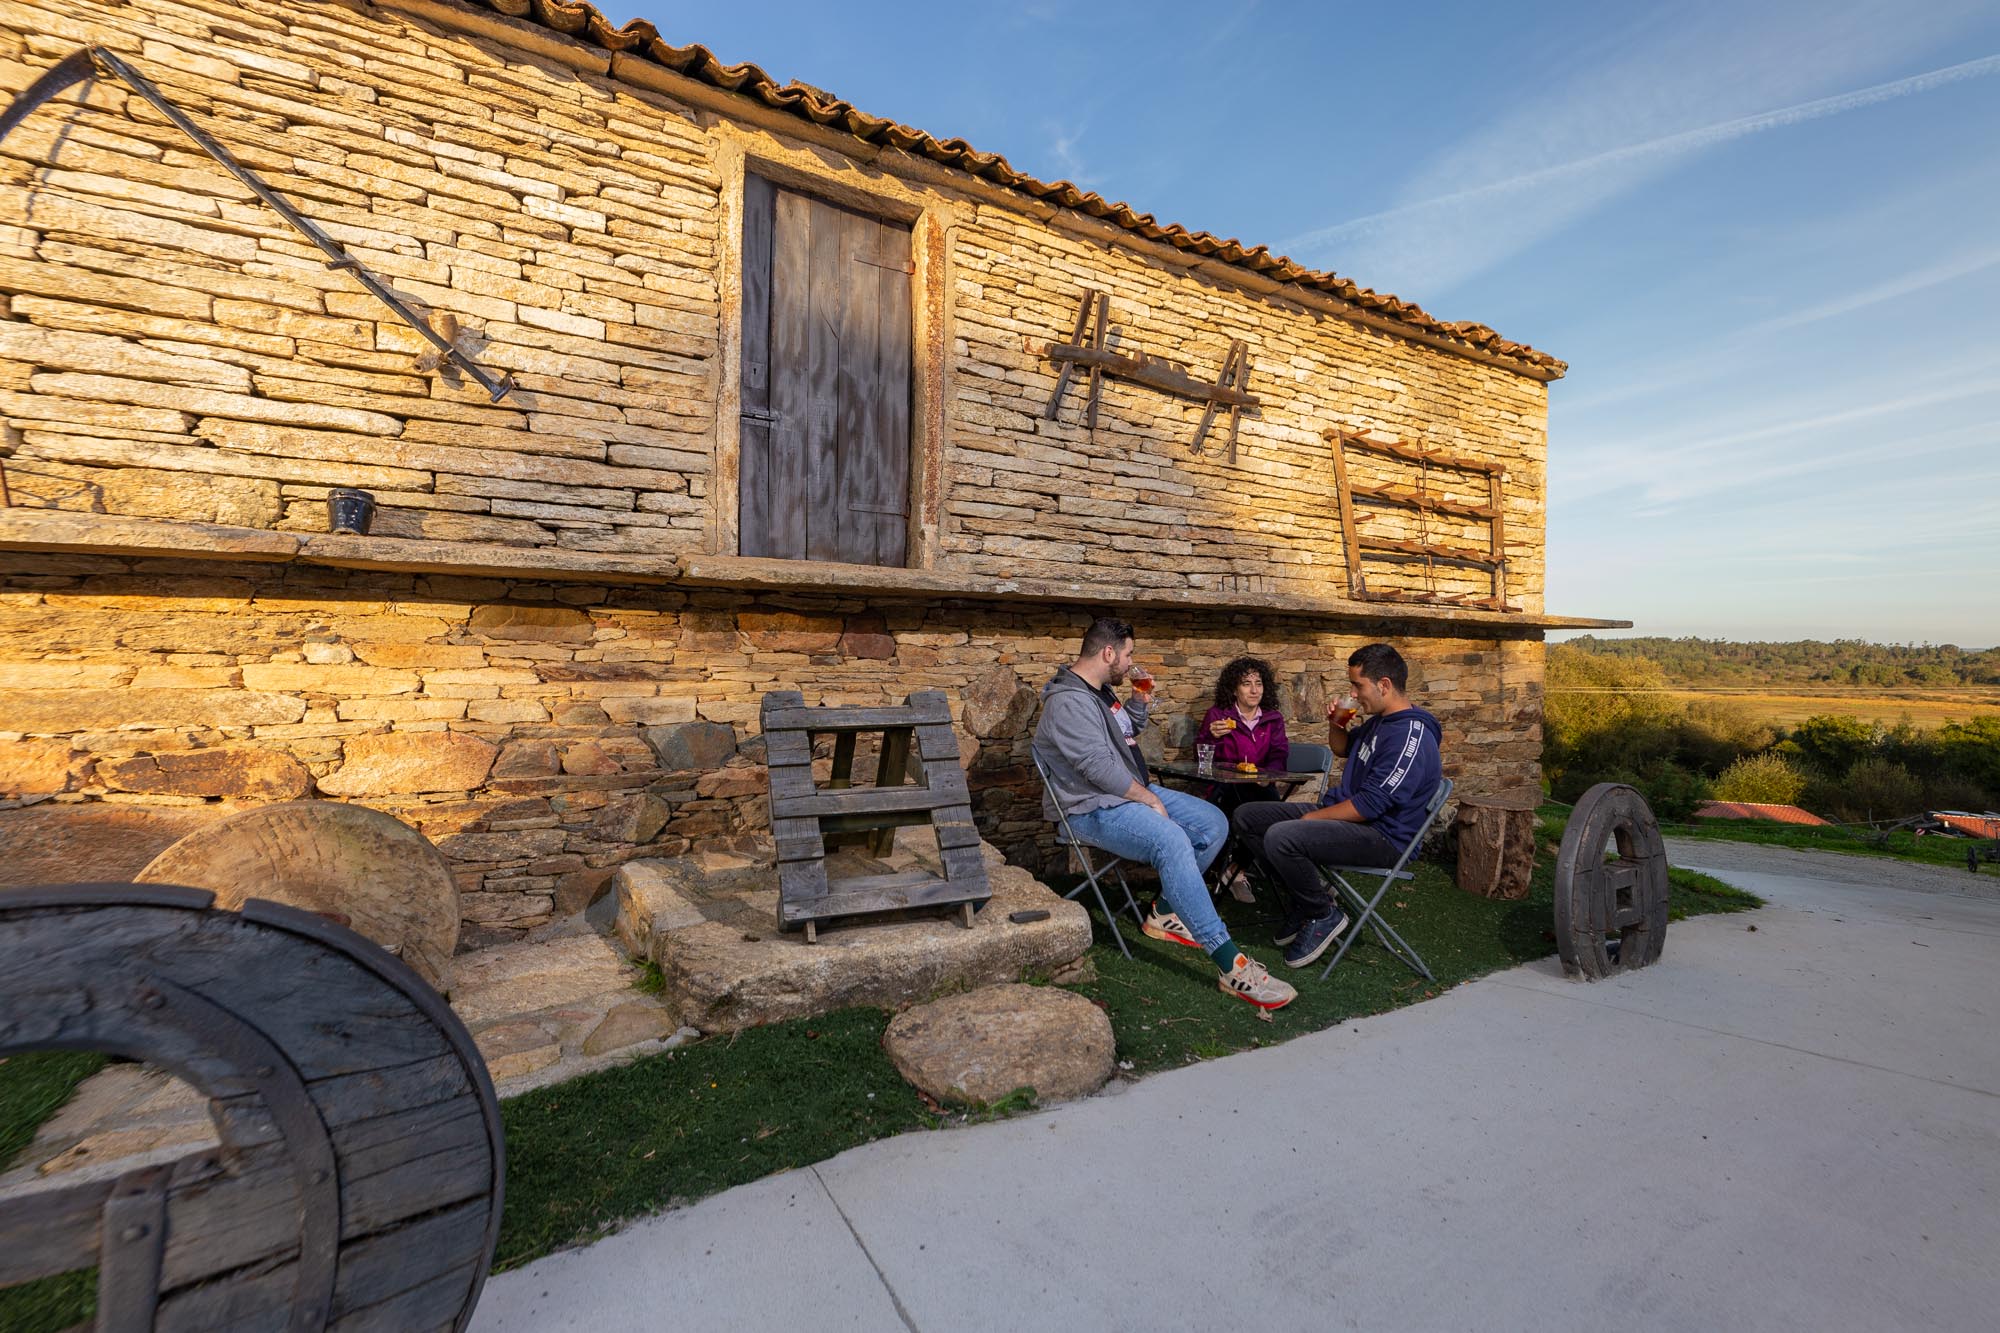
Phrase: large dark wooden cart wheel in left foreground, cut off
x=361 y=1158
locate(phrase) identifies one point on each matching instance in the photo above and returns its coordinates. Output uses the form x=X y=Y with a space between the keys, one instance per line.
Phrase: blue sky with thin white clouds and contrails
x=1767 y=239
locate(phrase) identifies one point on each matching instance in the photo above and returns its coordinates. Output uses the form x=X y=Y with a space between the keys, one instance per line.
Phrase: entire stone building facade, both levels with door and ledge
x=777 y=419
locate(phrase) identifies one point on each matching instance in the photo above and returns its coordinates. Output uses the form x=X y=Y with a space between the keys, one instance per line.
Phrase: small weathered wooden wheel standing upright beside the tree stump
x=1611 y=914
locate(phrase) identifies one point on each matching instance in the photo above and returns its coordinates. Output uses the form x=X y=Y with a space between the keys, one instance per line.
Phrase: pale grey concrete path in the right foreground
x=1787 y=1128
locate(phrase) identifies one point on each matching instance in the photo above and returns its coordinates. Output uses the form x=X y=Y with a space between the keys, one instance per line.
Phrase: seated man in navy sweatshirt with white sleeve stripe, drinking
x=1365 y=820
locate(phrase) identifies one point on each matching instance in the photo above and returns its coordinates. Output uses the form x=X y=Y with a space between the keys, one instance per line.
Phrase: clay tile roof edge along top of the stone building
x=639 y=37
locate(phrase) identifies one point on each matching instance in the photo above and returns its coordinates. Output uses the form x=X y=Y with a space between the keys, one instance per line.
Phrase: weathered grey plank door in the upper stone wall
x=825 y=381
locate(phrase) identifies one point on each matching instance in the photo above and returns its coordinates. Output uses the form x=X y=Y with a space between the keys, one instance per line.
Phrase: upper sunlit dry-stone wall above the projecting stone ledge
x=173 y=349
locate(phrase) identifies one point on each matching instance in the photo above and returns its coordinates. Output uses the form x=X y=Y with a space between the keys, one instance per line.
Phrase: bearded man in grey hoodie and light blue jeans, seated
x=1089 y=746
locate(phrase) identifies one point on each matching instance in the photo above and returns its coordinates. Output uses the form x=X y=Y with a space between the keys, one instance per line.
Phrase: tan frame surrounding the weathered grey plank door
x=851 y=185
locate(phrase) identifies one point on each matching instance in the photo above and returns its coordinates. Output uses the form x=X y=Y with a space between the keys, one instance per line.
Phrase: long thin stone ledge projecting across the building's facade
x=73 y=533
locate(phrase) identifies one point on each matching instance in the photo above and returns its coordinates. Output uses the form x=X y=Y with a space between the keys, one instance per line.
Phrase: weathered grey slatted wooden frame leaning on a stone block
x=917 y=744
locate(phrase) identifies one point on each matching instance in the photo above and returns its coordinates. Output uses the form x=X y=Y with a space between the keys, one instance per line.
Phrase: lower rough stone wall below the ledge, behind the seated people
x=541 y=736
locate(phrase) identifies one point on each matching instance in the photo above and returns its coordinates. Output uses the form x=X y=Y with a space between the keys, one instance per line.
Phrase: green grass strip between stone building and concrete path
x=595 y=1152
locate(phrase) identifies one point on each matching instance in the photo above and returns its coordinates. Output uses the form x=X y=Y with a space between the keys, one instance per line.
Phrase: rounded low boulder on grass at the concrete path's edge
x=981 y=1046
